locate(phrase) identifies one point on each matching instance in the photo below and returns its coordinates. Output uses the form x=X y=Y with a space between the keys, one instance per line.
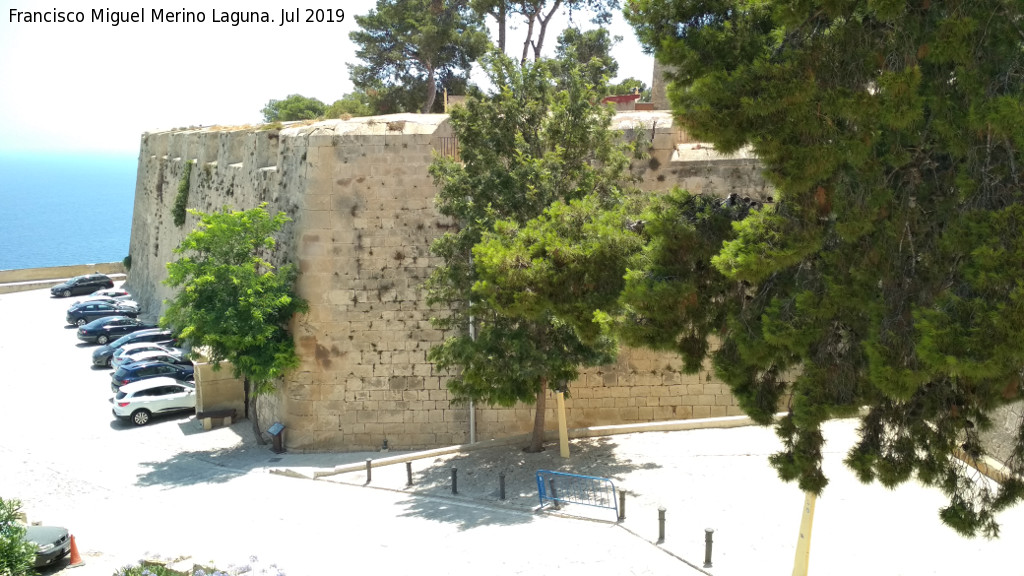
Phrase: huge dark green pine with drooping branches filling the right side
x=888 y=274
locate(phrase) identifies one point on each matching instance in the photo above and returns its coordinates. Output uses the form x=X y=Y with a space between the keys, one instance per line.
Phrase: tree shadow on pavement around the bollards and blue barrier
x=479 y=483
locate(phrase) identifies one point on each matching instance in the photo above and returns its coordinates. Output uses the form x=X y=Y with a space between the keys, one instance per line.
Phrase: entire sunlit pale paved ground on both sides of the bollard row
x=170 y=489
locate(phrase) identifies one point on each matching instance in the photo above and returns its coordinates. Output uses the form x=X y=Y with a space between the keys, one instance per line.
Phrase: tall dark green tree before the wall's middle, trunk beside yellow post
x=525 y=148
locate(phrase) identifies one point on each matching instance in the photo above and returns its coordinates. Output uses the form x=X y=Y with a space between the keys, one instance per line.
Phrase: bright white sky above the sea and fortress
x=92 y=87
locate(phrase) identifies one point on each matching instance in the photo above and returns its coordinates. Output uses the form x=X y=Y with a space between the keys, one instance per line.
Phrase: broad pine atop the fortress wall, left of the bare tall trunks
x=410 y=47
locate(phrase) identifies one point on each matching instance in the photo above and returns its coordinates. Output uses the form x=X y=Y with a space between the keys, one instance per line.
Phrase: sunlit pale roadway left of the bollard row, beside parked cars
x=170 y=489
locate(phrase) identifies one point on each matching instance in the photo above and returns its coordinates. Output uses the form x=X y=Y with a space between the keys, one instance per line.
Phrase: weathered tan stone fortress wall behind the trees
x=362 y=203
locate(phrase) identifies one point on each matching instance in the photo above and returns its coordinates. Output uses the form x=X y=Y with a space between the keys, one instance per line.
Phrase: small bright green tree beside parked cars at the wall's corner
x=234 y=305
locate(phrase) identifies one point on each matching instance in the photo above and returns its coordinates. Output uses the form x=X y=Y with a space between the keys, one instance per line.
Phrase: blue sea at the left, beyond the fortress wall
x=64 y=210
